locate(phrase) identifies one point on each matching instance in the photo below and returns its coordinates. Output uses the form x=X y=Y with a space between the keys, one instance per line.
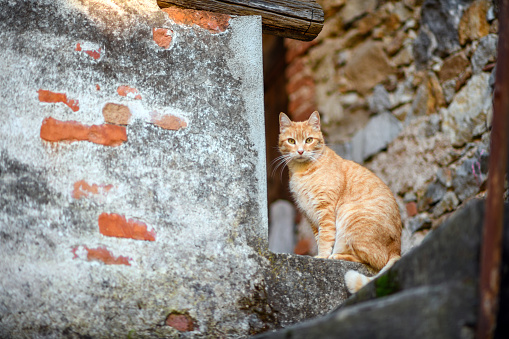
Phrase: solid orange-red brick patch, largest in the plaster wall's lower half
x=116 y=225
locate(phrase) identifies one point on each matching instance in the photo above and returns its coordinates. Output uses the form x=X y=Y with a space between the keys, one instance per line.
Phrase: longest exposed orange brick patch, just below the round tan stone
x=53 y=130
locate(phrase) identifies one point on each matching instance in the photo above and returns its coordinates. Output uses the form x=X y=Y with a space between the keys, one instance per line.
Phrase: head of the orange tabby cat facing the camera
x=300 y=141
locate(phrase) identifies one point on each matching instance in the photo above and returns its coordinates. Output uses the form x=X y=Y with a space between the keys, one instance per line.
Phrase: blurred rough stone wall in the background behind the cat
x=404 y=87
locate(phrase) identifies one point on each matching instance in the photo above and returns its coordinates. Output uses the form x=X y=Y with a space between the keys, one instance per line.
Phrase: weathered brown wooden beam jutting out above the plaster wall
x=295 y=19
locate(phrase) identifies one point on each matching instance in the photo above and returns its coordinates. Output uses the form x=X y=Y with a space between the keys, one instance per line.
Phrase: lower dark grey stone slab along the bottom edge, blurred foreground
x=425 y=312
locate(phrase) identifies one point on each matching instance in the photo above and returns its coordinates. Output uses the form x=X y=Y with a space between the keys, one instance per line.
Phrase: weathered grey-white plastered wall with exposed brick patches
x=162 y=230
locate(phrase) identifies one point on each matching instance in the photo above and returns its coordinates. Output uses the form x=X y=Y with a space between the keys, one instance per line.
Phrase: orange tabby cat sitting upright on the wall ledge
x=353 y=214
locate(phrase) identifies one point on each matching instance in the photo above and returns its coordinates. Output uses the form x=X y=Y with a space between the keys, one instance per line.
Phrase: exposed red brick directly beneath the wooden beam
x=213 y=22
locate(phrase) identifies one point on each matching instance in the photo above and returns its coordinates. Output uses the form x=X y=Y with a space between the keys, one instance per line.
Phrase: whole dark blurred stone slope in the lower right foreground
x=432 y=292
